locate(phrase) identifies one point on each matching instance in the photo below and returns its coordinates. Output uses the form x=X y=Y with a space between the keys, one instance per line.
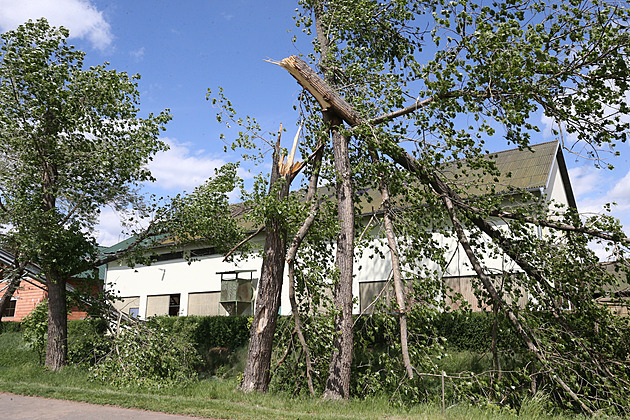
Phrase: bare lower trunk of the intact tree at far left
x=57 y=345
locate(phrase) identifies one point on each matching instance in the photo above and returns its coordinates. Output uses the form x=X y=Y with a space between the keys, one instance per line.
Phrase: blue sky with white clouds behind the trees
x=183 y=48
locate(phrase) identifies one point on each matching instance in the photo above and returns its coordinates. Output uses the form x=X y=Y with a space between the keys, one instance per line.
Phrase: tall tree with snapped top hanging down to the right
x=414 y=91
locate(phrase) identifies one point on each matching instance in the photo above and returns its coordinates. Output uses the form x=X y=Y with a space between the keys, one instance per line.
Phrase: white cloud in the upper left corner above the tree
x=82 y=19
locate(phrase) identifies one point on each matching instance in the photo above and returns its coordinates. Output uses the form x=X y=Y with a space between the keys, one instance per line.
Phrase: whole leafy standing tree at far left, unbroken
x=71 y=142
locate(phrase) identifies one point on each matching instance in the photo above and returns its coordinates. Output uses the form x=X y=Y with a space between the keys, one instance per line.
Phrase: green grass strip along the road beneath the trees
x=21 y=373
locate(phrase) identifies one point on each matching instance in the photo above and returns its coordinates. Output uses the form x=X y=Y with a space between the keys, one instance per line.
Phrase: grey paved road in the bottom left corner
x=34 y=408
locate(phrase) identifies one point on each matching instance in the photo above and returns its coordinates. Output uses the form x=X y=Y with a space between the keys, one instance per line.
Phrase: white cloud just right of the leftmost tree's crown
x=181 y=169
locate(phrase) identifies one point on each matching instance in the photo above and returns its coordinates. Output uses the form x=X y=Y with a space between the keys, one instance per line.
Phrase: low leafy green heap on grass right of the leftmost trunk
x=148 y=356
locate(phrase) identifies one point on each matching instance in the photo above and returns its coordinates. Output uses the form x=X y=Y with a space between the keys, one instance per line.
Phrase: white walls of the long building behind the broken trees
x=179 y=277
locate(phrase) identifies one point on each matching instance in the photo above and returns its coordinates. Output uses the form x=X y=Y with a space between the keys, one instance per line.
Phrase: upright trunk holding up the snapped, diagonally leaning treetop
x=338 y=383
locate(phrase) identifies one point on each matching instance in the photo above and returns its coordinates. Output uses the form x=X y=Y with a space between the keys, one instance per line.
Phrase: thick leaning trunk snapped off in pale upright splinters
x=256 y=376
